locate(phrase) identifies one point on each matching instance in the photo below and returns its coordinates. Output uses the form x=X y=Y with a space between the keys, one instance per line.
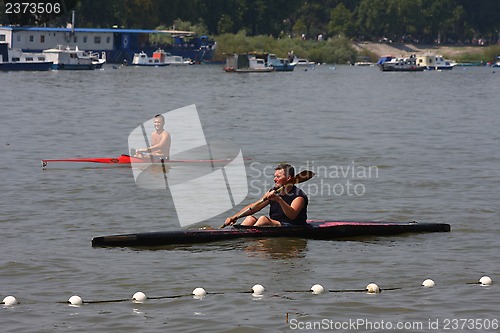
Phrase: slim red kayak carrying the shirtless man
x=121 y=161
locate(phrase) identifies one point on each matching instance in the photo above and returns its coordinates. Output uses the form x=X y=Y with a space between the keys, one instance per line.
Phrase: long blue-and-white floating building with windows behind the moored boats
x=119 y=45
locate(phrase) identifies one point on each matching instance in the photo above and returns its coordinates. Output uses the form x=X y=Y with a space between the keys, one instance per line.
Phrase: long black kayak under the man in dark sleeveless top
x=322 y=230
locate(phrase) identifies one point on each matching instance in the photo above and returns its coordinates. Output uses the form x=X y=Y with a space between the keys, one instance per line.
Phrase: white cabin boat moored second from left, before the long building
x=70 y=59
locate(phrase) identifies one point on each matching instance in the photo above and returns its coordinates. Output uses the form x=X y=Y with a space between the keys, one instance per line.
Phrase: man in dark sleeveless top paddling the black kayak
x=288 y=206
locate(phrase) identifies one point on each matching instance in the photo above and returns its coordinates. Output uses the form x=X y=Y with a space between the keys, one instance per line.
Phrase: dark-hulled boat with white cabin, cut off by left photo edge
x=17 y=60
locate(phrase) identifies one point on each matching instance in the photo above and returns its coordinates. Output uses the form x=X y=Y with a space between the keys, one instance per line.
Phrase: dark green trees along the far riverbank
x=423 y=21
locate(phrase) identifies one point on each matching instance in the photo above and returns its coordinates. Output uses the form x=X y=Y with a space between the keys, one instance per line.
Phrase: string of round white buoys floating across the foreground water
x=257 y=291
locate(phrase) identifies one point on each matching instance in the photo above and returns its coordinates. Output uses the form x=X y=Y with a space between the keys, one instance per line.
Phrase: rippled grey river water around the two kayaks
x=424 y=147
